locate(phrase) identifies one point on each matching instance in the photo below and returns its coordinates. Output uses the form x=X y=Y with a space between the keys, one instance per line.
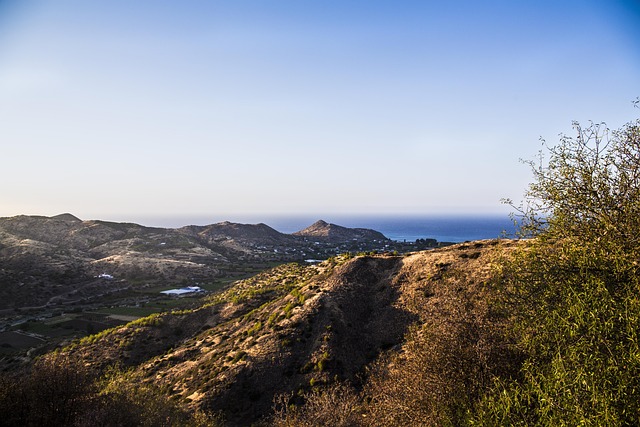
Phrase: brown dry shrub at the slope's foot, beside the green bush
x=445 y=365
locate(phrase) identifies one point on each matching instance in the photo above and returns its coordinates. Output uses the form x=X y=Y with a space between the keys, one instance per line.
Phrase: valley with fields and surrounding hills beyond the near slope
x=62 y=278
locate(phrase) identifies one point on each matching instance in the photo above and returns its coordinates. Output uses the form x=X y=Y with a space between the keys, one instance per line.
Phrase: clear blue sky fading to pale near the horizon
x=134 y=110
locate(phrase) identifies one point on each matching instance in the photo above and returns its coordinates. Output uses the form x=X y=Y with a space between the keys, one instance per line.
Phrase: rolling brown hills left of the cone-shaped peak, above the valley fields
x=44 y=259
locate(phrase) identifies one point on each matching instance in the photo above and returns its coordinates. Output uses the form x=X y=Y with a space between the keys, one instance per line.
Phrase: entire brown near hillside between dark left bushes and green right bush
x=370 y=340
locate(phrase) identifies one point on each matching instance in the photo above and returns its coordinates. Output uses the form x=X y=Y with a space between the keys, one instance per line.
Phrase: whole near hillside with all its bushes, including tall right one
x=542 y=330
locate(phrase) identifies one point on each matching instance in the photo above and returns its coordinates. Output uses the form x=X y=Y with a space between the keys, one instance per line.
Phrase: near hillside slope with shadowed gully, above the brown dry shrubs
x=295 y=328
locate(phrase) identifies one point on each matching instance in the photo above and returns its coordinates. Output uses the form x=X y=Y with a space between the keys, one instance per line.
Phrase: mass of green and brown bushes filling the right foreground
x=560 y=342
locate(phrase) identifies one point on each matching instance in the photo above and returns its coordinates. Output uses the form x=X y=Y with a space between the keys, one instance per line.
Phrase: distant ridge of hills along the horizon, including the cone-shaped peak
x=65 y=241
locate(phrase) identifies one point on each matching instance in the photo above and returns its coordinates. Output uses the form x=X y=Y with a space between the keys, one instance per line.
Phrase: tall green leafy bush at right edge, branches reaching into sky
x=574 y=290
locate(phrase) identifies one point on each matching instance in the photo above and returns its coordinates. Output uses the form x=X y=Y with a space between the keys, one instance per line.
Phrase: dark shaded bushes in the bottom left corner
x=58 y=391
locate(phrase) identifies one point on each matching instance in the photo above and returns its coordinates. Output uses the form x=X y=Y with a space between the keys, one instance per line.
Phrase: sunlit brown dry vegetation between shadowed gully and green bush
x=447 y=359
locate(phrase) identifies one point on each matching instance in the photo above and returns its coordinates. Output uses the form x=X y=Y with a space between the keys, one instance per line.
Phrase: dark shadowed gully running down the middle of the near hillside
x=355 y=320
